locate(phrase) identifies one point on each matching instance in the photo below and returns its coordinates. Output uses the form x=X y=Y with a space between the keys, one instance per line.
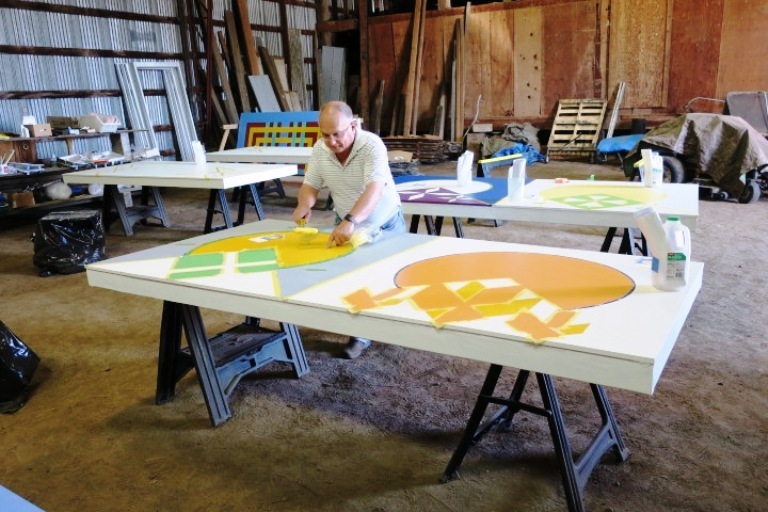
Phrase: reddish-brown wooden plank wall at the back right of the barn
x=522 y=57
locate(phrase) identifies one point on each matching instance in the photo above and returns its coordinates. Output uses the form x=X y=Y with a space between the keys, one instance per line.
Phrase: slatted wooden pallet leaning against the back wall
x=576 y=129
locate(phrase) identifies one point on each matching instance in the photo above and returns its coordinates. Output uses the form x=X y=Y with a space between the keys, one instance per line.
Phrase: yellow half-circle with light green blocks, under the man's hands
x=259 y=252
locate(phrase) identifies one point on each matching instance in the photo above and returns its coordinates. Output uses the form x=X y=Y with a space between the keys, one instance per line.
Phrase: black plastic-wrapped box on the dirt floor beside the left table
x=66 y=241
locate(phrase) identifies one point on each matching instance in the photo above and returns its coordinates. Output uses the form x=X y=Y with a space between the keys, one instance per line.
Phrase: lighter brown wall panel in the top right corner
x=745 y=23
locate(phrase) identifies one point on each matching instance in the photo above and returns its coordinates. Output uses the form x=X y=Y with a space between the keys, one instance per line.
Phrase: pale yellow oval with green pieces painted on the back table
x=596 y=197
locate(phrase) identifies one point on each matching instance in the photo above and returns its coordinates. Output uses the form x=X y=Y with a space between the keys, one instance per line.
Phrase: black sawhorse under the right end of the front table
x=575 y=473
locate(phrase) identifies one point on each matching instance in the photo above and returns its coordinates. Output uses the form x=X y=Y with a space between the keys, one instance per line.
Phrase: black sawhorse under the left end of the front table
x=220 y=361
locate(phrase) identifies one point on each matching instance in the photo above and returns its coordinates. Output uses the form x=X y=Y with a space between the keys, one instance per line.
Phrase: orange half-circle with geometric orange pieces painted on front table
x=540 y=295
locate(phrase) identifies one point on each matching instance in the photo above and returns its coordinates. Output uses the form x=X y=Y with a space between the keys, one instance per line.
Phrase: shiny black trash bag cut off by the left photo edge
x=17 y=366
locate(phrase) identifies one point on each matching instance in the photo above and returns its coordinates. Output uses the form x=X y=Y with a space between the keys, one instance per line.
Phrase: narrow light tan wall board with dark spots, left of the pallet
x=527 y=53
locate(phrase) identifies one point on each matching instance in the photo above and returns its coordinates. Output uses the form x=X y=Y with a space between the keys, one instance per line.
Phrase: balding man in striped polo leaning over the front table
x=353 y=164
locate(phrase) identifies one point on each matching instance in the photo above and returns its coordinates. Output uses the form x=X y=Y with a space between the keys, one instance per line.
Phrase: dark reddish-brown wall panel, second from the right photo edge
x=696 y=43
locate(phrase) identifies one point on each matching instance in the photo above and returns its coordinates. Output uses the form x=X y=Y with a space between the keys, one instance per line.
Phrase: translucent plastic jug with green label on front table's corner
x=670 y=269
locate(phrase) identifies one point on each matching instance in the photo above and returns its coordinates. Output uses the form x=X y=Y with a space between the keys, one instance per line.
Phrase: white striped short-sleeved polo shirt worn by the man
x=367 y=163
